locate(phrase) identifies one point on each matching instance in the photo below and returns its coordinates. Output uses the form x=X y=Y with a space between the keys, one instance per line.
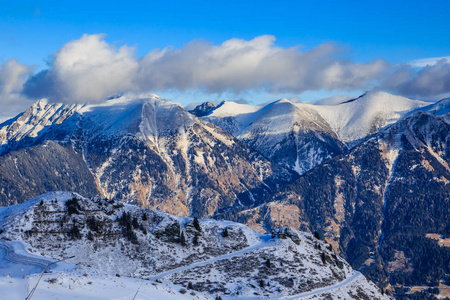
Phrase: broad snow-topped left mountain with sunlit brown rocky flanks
x=142 y=149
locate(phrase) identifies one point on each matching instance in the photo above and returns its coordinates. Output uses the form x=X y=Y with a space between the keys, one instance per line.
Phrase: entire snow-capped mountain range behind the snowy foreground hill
x=369 y=175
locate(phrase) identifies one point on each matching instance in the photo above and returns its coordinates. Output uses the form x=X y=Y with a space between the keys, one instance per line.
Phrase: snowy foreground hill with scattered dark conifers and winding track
x=109 y=243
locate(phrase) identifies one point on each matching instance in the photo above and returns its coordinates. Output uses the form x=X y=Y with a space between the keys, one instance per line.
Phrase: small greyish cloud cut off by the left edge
x=12 y=76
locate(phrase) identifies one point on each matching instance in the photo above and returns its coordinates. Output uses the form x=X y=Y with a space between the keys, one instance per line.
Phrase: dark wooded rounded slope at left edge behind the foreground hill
x=45 y=167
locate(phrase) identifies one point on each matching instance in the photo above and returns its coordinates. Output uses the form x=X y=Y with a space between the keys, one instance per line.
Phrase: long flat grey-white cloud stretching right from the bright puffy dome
x=238 y=65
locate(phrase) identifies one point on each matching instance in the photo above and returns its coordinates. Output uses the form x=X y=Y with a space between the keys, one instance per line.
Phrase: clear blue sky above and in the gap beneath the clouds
x=394 y=31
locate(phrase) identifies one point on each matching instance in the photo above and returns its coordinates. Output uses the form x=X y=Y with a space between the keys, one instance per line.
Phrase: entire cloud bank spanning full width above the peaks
x=89 y=69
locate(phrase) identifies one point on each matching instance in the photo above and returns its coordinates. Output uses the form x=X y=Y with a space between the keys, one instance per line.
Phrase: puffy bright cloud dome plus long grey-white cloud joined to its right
x=89 y=69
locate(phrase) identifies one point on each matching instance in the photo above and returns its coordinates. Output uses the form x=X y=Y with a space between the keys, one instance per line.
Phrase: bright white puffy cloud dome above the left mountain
x=83 y=70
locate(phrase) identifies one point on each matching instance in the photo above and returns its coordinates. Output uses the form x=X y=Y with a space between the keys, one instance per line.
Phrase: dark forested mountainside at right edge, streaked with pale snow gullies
x=384 y=204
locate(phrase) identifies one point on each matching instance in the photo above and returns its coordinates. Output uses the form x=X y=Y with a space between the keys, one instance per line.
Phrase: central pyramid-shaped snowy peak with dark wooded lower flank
x=293 y=136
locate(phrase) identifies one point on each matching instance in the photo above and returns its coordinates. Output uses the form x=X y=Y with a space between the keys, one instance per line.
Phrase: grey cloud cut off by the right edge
x=431 y=81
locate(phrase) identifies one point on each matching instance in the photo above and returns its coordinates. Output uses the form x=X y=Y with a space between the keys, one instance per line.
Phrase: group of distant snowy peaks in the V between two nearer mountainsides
x=300 y=136
